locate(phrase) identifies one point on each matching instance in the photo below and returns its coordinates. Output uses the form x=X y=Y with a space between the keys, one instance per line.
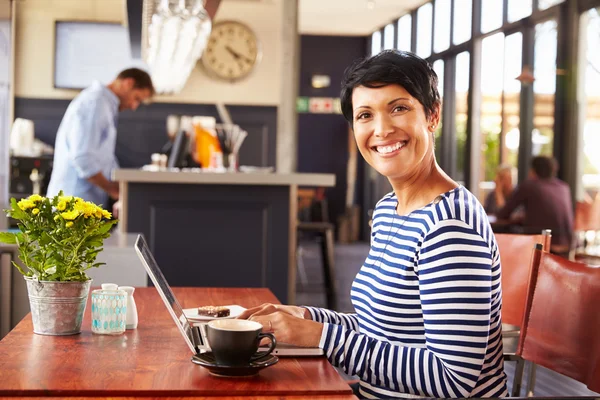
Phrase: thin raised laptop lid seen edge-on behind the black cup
x=191 y=335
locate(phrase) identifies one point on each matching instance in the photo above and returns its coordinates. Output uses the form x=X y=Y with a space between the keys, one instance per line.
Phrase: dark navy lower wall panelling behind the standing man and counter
x=143 y=132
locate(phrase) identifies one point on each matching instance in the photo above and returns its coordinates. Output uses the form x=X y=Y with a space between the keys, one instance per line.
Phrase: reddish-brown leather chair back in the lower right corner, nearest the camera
x=561 y=324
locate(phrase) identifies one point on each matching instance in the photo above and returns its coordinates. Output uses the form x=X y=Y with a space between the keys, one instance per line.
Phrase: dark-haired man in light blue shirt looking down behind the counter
x=84 y=153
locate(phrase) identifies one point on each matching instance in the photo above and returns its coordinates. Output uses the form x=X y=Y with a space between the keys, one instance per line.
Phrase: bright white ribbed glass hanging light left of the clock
x=174 y=33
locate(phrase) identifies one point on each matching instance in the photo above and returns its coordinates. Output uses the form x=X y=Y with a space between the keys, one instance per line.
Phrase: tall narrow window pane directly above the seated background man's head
x=544 y=88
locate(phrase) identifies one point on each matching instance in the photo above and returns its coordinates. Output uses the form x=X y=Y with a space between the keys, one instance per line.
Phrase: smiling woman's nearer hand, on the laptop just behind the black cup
x=290 y=329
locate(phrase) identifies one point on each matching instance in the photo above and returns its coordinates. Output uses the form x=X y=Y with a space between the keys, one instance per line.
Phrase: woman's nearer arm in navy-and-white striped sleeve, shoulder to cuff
x=456 y=281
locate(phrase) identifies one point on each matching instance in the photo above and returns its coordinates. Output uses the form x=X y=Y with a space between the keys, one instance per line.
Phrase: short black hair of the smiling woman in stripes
x=392 y=67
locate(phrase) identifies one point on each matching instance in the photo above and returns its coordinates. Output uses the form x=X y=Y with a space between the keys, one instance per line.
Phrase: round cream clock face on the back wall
x=232 y=51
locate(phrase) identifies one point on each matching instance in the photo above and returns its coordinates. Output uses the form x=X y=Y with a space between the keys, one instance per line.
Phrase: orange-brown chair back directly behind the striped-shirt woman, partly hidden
x=515 y=257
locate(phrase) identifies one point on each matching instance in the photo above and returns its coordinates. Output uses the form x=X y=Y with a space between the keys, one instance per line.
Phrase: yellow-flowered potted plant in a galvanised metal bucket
x=59 y=239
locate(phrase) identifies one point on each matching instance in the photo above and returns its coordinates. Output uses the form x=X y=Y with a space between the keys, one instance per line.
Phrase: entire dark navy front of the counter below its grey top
x=215 y=235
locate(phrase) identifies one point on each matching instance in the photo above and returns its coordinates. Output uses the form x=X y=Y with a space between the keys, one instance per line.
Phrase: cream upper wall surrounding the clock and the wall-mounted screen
x=35 y=50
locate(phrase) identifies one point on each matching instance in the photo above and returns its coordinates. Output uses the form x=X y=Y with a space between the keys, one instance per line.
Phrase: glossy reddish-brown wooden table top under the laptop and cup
x=152 y=360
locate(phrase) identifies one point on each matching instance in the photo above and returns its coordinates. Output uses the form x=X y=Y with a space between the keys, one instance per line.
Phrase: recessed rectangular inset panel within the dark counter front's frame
x=222 y=232
